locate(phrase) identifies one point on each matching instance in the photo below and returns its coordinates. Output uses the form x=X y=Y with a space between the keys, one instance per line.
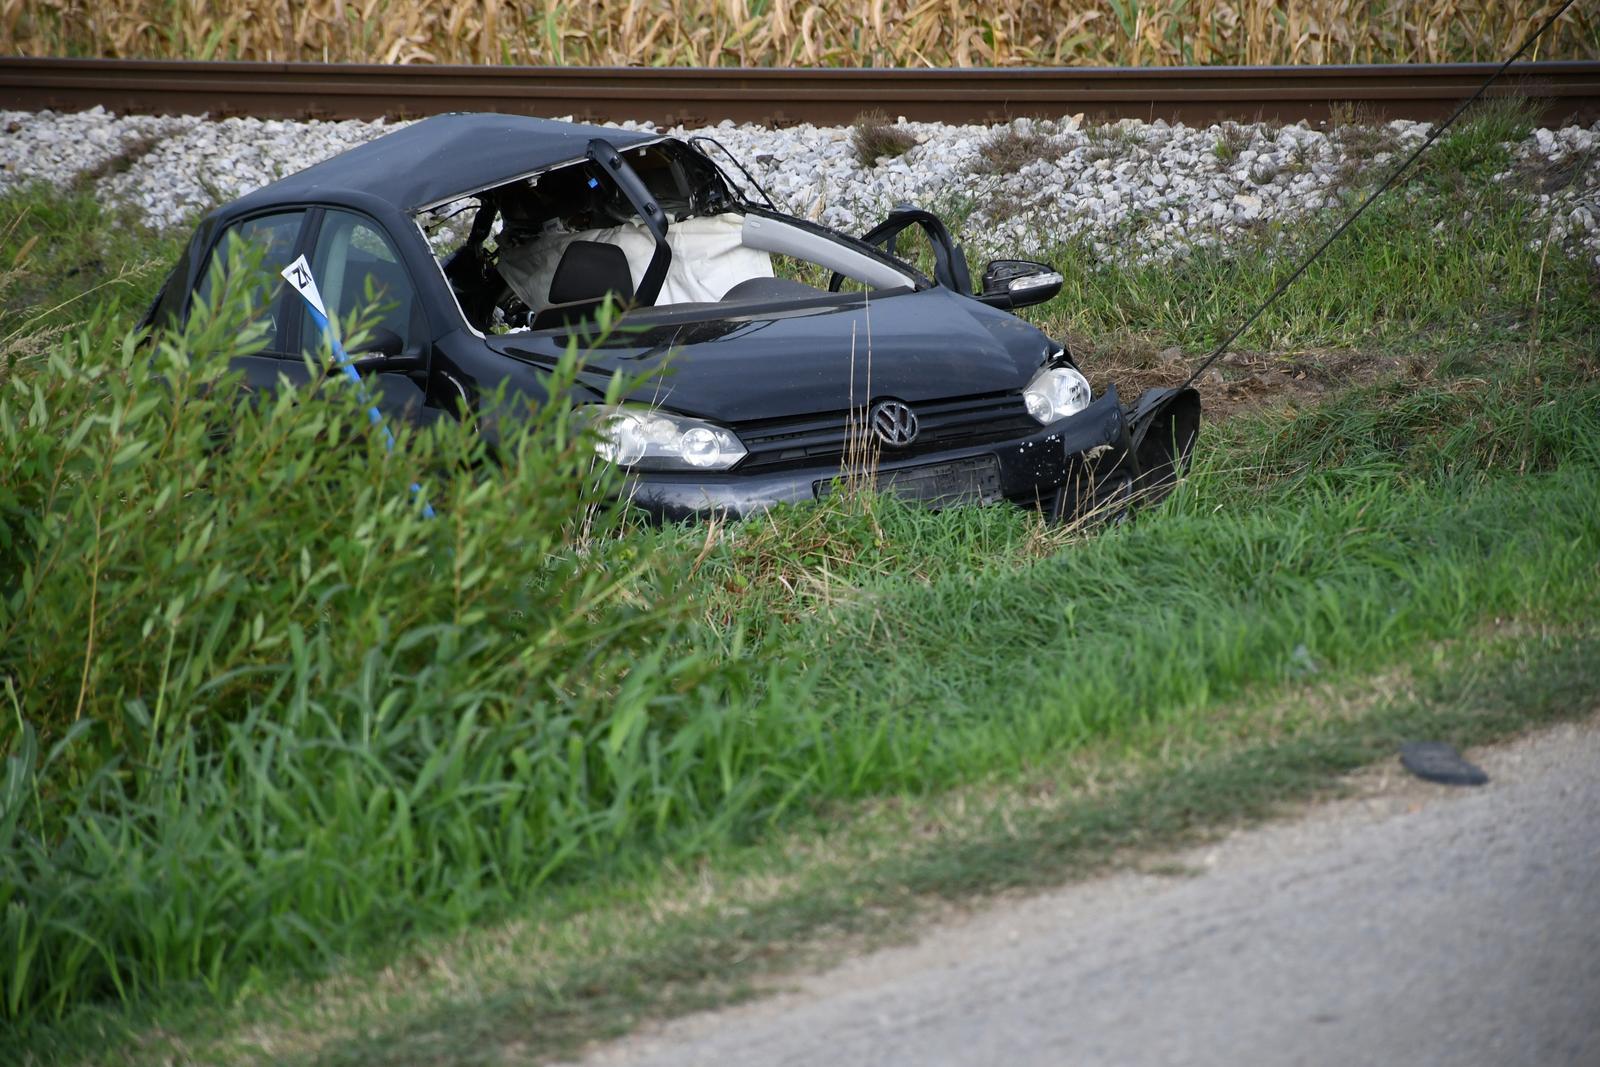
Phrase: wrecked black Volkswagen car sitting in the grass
x=767 y=350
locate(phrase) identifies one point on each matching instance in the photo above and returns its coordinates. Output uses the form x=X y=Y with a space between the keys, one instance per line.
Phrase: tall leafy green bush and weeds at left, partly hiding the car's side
x=260 y=709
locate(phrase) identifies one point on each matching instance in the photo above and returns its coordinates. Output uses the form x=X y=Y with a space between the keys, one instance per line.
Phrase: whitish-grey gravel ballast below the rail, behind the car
x=1132 y=191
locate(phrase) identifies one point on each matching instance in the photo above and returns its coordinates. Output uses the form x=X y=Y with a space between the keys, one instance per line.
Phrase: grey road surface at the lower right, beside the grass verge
x=1409 y=925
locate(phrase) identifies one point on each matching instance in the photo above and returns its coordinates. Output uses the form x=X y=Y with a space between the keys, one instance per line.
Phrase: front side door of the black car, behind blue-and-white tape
x=361 y=273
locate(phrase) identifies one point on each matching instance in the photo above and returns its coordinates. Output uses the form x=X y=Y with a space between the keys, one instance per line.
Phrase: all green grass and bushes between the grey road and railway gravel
x=318 y=735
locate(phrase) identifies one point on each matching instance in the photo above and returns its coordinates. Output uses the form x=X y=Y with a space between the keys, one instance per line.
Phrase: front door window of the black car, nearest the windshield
x=358 y=266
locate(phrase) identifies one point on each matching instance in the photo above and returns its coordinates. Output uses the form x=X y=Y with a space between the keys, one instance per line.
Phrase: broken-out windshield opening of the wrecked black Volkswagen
x=546 y=252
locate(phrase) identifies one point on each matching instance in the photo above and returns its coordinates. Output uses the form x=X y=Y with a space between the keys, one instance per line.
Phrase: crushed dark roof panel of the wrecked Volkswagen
x=442 y=158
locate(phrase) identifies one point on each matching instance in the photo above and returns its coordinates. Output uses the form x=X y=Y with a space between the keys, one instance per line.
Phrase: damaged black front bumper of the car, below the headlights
x=1076 y=457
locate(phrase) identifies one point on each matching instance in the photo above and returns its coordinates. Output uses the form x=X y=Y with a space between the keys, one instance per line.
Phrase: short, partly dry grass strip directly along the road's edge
x=593 y=965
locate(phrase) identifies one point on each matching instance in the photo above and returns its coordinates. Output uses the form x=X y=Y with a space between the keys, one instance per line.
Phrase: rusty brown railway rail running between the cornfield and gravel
x=1570 y=92
